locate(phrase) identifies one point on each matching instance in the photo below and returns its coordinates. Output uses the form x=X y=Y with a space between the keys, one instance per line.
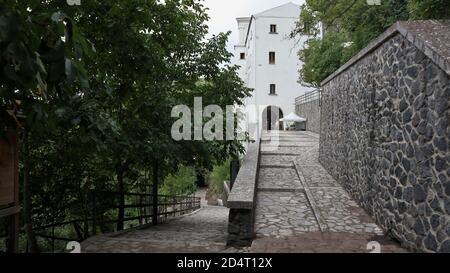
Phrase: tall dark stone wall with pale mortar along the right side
x=385 y=132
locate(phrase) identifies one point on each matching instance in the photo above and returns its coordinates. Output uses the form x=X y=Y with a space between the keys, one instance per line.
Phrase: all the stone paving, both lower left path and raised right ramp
x=300 y=208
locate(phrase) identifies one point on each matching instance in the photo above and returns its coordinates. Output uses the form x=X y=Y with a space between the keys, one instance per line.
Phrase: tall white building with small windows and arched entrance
x=269 y=64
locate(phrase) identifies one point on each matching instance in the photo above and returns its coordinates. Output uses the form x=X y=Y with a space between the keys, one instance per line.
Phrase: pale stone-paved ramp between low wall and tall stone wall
x=301 y=208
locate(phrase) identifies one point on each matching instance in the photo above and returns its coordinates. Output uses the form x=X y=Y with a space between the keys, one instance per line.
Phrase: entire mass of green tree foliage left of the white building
x=96 y=84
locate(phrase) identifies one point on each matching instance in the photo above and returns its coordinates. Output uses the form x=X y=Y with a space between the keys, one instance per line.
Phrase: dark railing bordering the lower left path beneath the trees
x=103 y=216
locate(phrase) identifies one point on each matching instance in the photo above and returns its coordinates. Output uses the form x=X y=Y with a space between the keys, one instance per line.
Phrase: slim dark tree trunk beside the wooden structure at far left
x=27 y=211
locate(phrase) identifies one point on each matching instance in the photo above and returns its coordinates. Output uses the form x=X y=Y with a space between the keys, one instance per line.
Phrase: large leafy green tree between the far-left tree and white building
x=153 y=63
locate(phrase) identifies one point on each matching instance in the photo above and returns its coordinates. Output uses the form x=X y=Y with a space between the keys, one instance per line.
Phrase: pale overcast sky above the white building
x=223 y=14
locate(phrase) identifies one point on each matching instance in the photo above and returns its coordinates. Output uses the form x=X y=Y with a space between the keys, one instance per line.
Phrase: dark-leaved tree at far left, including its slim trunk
x=42 y=71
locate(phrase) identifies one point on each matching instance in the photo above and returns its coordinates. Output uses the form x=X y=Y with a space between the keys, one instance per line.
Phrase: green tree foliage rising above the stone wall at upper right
x=349 y=26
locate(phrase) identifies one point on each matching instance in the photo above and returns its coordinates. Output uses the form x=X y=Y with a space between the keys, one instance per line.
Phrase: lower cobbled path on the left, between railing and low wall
x=201 y=231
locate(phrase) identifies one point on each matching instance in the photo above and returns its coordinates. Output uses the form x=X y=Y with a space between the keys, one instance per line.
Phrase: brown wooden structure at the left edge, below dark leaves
x=9 y=187
